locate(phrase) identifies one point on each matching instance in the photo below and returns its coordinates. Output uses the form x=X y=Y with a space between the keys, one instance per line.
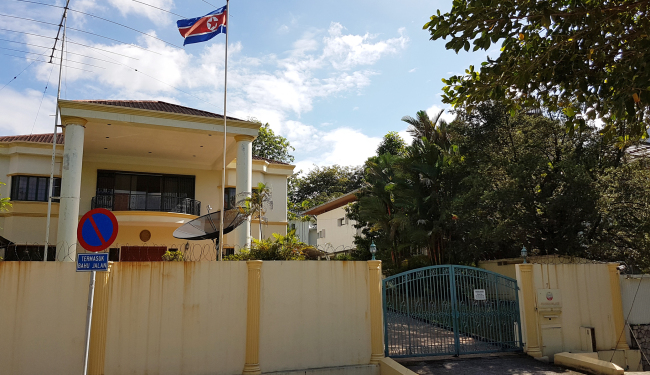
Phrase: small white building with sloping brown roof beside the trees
x=334 y=231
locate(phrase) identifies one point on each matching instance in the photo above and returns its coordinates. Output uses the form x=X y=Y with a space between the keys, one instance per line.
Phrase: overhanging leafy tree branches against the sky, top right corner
x=588 y=59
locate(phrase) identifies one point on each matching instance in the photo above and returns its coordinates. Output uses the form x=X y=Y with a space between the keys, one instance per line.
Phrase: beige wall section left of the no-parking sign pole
x=43 y=317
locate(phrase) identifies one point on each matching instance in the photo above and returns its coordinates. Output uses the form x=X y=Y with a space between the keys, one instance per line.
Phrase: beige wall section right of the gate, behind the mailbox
x=586 y=302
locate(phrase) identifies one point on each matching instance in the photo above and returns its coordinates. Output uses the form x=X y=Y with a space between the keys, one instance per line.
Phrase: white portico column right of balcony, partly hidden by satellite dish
x=244 y=183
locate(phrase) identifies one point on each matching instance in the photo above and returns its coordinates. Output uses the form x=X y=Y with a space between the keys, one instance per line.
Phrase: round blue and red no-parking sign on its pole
x=96 y=232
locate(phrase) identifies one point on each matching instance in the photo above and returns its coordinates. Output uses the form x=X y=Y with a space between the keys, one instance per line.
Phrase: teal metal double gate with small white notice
x=450 y=310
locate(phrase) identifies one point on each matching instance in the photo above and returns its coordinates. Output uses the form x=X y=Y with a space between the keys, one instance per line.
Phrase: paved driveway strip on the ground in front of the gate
x=511 y=364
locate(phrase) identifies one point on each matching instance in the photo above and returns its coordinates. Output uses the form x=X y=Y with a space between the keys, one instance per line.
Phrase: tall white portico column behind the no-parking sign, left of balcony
x=66 y=238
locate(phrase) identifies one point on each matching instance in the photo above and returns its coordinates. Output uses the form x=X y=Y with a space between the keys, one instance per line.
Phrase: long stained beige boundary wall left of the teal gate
x=191 y=317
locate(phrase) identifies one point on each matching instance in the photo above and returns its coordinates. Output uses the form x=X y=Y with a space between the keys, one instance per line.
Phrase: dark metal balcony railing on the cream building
x=146 y=202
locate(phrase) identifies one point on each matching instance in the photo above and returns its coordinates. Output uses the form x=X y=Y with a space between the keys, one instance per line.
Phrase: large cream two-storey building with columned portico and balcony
x=156 y=165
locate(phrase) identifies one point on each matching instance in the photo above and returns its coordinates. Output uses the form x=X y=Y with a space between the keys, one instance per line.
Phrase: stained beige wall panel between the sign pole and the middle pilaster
x=176 y=318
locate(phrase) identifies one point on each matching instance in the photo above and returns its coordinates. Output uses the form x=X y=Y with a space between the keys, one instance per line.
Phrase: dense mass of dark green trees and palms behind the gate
x=489 y=182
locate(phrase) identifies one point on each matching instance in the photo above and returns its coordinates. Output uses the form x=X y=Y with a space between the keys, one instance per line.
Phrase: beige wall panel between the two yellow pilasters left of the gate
x=314 y=314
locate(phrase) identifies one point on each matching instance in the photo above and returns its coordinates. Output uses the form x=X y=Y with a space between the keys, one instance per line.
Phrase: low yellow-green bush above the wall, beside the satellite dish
x=279 y=247
